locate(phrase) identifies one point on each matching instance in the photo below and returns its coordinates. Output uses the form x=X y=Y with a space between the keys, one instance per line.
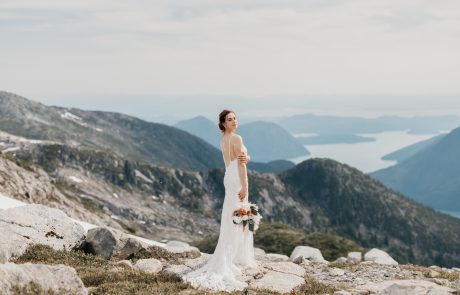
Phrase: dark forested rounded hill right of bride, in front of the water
x=343 y=200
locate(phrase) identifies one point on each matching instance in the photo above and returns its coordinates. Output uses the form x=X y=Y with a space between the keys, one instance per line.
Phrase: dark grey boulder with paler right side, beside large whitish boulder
x=108 y=243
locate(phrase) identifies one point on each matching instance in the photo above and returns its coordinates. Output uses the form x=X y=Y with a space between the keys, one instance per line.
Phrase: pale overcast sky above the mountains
x=167 y=60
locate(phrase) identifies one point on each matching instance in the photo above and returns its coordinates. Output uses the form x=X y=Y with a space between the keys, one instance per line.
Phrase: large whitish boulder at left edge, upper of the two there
x=37 y=224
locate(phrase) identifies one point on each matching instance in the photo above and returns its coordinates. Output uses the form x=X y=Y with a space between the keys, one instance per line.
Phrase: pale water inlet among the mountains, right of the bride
x=365 y=156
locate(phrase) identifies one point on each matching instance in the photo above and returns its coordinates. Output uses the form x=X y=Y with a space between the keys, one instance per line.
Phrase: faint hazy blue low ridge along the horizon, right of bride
x=309 y=123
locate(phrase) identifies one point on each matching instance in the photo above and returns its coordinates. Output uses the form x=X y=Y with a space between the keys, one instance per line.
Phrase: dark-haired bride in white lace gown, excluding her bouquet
x=234 y=251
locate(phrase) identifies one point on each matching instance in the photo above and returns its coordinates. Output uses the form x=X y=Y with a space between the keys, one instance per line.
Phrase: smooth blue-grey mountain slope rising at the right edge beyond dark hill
x=431 y=176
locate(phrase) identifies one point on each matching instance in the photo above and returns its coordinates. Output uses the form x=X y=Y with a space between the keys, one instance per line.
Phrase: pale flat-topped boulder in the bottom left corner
x=56 y=279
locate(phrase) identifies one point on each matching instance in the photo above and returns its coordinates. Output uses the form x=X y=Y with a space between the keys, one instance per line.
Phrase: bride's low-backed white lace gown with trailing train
x=235 y=249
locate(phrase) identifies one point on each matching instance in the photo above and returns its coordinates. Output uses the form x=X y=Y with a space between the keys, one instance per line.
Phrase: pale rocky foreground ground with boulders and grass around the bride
x=105 y=260
